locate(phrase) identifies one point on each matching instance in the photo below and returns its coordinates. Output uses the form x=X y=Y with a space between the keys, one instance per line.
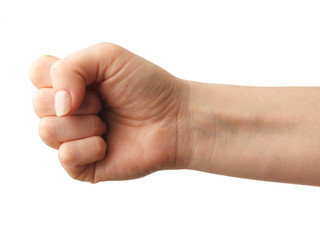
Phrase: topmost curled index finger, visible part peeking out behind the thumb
x=40 y=71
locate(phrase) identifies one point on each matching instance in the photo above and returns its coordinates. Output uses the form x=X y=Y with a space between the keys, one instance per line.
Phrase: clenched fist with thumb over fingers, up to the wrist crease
x=119 y=114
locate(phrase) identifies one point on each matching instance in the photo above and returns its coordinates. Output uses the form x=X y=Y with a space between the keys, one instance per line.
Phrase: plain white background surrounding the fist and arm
x=261 y=43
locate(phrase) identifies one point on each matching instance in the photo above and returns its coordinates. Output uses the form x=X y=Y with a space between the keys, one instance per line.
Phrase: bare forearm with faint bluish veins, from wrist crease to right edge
x=255 y=132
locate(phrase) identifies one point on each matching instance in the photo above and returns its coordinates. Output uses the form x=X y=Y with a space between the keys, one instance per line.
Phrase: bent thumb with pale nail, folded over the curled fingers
x=71 y=75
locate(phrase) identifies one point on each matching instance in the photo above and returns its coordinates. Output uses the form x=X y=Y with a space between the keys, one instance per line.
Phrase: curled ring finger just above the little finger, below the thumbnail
x=54 y=130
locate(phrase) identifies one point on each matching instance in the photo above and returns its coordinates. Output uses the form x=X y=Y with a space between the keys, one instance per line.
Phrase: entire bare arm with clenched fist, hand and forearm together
x=122 y=117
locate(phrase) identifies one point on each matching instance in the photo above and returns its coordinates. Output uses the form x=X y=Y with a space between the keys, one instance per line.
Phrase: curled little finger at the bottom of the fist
x=78 y=157
